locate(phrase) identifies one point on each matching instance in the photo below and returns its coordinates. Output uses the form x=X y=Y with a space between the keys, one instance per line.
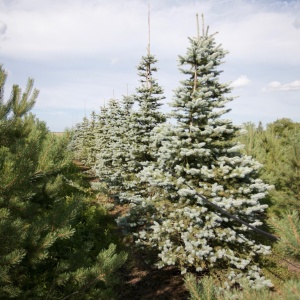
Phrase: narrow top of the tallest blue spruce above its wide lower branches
x=201 y=94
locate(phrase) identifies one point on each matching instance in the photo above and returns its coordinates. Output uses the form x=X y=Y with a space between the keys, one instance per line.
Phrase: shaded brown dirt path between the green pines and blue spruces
x=139 y=280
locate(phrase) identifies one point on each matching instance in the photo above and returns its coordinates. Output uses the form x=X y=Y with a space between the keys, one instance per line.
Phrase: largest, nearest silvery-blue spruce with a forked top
x=199 y=157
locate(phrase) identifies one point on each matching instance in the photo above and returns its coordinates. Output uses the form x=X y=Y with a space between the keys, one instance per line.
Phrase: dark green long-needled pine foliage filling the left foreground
x=49 y=247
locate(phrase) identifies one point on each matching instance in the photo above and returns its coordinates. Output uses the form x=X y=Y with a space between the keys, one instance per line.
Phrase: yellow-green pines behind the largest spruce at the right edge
x=278 y=148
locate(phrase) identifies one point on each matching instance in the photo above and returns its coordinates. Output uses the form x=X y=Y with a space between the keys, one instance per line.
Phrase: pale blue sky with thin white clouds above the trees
x=81 y=53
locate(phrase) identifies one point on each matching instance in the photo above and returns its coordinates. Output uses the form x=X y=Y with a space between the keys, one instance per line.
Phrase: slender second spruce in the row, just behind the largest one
x=141 y=123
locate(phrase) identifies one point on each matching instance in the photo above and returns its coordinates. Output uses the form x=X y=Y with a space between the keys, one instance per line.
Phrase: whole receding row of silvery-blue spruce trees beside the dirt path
x=194 y=195
